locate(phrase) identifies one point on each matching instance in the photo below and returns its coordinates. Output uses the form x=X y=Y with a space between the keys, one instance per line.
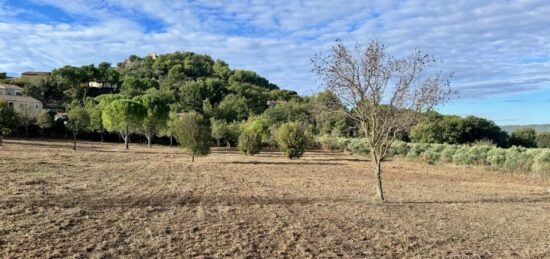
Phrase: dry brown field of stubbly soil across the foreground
x=102 y=201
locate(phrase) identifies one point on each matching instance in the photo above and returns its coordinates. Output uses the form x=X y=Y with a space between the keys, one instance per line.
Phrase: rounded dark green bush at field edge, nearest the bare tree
x=291 y=139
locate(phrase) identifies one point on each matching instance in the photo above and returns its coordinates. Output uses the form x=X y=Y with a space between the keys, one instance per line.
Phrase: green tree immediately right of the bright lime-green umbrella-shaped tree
x=156 y=116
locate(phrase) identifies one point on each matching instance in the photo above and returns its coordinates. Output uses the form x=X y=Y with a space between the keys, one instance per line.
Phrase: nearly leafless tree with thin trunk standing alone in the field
x=385 y=94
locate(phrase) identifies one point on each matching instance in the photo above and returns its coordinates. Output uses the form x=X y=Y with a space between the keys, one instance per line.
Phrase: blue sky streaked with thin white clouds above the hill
x=497 y=50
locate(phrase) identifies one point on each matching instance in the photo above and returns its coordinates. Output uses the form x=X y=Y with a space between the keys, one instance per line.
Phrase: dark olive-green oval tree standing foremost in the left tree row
x=193 y=133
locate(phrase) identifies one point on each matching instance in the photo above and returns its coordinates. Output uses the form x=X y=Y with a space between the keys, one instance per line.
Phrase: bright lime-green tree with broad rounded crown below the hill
x=123 y=116
